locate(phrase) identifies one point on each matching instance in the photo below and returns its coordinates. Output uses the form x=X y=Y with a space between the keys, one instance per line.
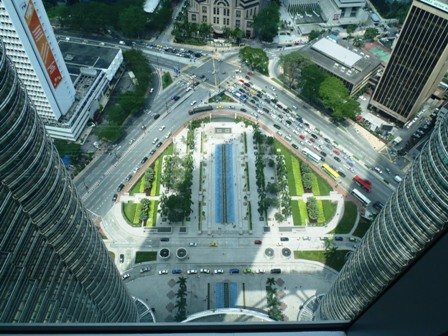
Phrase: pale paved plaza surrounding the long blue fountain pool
x=221 y=245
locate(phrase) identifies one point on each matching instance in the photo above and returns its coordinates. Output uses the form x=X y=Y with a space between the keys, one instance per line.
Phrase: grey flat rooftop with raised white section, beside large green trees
x=343 y=60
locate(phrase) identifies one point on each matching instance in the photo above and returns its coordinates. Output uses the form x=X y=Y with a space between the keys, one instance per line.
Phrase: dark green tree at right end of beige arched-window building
x=266 y=22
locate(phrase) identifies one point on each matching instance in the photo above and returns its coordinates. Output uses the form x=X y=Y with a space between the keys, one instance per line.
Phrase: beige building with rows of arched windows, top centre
x=223 y=14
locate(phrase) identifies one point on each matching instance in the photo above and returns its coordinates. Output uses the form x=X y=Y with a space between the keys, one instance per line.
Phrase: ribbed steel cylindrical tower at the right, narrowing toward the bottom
x=415 y=215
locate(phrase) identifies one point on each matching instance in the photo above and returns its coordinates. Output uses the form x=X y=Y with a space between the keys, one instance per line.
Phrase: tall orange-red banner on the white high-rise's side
x=42 y=45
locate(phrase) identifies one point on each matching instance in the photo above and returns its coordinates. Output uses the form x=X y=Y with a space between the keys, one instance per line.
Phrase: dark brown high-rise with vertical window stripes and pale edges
x=418 y=61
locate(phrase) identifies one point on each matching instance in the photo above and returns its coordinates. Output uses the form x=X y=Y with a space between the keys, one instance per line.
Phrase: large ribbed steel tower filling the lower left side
x=54 y=266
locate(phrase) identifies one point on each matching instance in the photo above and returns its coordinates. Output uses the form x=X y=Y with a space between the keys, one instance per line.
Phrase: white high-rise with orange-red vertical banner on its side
x=31 y=45
